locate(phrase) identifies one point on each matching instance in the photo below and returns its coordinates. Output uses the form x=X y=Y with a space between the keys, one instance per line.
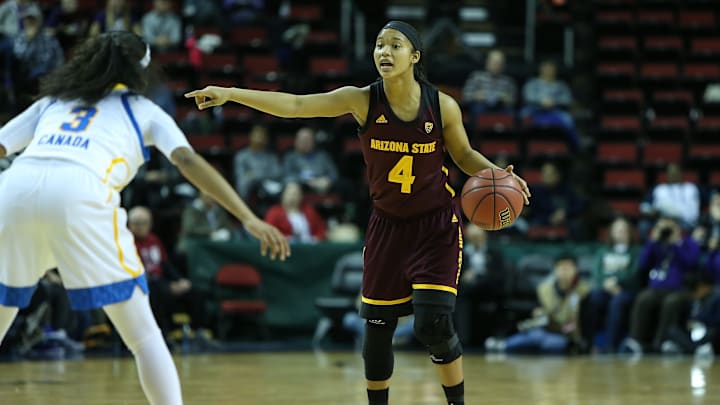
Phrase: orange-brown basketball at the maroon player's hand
x=492 y=199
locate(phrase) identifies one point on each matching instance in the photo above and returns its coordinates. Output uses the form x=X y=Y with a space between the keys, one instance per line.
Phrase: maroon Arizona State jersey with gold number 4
x=405 y=159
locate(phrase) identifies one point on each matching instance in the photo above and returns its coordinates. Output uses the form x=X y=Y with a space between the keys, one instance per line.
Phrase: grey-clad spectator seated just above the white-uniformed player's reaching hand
x=256 y=167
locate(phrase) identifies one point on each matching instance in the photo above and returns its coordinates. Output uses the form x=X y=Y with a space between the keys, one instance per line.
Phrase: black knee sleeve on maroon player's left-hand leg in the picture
x=377 y=349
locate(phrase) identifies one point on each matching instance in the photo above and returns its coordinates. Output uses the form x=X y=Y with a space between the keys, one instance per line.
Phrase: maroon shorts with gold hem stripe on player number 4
x=411 y=261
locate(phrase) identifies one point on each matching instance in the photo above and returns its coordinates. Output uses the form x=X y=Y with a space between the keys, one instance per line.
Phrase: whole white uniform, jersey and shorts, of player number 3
x=60 y=200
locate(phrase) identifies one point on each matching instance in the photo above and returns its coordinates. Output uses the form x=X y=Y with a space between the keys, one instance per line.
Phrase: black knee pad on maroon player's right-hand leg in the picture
x=434 y=329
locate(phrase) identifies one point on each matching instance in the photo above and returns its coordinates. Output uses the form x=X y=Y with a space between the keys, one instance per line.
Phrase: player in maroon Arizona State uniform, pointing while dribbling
x=413 y=247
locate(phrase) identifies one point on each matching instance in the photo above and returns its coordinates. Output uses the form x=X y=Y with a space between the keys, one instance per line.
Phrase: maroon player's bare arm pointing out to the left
x=345 y=100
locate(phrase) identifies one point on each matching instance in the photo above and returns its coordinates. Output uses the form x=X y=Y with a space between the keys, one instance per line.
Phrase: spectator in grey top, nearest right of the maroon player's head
x=490 y=90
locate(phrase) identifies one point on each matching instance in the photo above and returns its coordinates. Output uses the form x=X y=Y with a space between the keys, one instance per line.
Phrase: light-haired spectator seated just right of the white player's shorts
x=169 y=291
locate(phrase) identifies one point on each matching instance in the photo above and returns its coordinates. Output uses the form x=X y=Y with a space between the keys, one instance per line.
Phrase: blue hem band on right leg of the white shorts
x=96 y=297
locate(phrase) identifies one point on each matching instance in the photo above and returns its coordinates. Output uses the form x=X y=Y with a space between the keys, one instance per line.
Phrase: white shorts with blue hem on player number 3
x=59 y=214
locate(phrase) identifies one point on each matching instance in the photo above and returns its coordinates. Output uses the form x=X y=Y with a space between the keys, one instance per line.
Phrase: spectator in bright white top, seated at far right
x=676 y=197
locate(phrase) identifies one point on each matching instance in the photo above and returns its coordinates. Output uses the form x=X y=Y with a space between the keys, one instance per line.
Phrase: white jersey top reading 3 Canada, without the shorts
x=110 y=138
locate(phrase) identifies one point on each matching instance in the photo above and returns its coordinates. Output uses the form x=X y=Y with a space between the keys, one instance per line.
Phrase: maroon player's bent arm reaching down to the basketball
x=465 y=157
